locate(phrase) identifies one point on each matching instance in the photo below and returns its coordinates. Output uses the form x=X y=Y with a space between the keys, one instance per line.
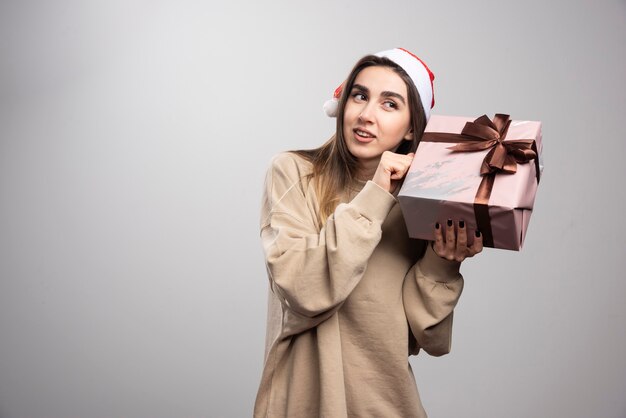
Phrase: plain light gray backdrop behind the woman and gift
x=134 y=140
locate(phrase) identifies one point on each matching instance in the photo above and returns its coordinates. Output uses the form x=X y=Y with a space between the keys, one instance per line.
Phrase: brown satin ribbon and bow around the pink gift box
x=503 y=157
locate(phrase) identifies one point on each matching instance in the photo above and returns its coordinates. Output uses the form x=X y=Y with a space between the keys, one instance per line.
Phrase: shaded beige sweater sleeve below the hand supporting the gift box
x=431 y=290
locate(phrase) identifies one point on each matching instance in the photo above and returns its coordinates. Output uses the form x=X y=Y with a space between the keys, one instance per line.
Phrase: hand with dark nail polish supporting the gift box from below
x=453 y=246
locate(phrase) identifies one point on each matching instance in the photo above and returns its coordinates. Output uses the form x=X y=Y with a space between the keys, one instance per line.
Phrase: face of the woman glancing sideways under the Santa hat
x=376 y=117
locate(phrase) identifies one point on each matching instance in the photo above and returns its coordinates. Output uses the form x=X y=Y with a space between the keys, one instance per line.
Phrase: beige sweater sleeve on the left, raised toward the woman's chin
x=312 y=271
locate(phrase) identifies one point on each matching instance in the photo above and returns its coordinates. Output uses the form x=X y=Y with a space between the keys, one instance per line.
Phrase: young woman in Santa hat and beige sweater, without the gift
x=352 y=296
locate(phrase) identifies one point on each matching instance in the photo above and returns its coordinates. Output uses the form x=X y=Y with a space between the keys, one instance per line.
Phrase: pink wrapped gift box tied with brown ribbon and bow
x=484 y=172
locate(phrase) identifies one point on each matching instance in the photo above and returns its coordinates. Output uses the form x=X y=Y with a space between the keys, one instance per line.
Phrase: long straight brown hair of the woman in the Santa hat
x=334 y=167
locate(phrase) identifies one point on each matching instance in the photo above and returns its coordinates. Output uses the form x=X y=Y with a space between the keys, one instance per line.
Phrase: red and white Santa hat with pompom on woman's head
x=417 y=70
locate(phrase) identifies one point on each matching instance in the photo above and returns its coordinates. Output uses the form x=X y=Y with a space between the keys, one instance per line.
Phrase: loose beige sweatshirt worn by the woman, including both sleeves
x=348 y=303
